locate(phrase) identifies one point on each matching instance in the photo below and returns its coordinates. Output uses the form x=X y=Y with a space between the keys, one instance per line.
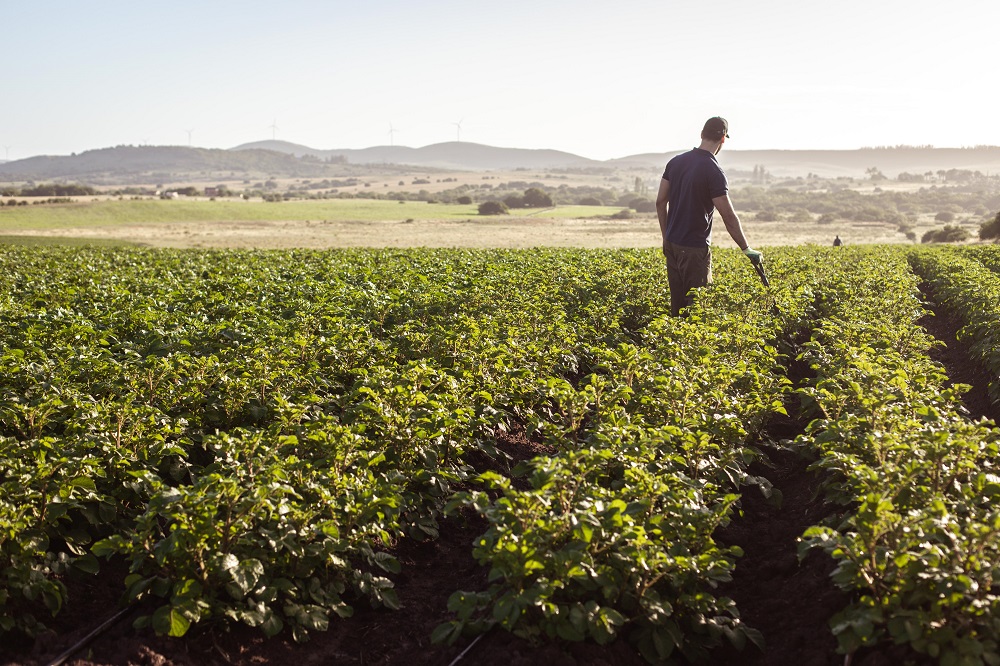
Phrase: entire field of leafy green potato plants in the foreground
x=438 y=456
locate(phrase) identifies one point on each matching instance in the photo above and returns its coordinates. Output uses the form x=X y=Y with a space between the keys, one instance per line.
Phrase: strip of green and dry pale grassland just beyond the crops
x=331 y=223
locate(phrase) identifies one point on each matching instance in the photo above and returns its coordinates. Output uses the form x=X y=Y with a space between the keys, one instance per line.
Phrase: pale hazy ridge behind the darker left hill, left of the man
x=450 y=155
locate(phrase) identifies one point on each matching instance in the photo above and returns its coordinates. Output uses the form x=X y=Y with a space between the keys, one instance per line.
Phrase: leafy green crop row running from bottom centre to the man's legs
x=612 y=532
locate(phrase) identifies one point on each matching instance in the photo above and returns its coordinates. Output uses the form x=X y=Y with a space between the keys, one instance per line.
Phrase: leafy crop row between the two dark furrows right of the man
x=918 y=542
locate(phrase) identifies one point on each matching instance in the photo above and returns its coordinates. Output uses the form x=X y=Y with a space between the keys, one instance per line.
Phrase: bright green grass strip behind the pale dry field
x=116 y=213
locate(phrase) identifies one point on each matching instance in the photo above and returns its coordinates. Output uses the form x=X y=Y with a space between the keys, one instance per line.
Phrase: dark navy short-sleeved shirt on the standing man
x=695 y=179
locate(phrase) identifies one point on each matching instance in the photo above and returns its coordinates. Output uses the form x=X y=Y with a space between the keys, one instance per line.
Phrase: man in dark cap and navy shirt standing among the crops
x=693 y=187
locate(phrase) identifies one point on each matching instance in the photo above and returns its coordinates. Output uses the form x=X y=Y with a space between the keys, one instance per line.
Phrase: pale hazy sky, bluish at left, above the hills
x=597 y=78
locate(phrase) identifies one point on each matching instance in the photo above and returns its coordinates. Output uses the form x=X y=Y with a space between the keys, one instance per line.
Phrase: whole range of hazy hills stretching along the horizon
x=280 y=159
